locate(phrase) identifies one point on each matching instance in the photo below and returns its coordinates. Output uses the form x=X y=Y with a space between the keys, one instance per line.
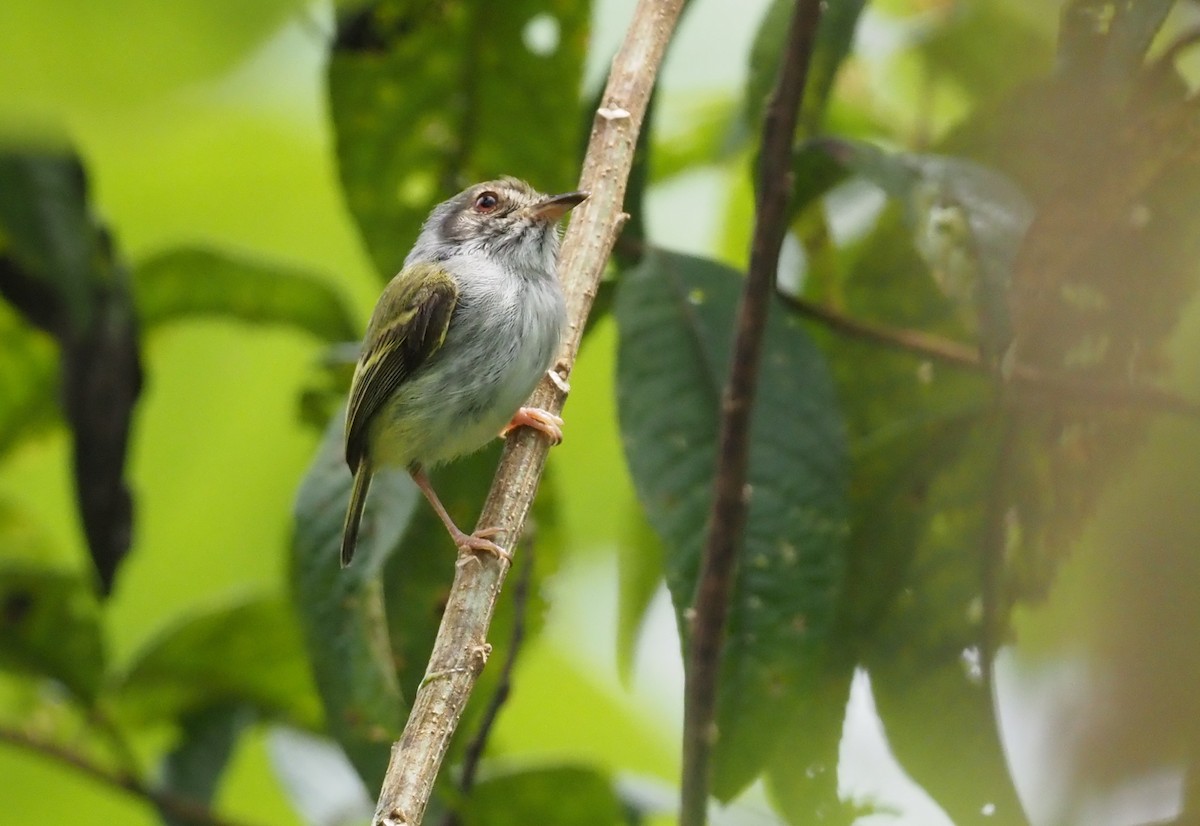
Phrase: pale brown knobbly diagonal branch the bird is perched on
x=461 y=648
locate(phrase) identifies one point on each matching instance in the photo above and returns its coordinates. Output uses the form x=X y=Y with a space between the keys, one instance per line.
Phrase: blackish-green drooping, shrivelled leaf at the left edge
x=58 y=268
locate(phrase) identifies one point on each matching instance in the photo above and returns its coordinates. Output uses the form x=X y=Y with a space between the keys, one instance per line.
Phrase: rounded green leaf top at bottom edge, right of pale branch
x=560 y=795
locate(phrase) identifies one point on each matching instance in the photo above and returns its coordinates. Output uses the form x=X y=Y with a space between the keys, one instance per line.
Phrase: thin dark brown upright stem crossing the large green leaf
x=729 y=511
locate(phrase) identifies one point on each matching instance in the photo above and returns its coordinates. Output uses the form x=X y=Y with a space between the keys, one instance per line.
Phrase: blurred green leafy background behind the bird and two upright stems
x=977 y=409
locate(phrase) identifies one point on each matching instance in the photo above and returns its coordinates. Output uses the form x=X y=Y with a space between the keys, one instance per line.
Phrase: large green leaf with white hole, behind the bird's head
x=430 y=98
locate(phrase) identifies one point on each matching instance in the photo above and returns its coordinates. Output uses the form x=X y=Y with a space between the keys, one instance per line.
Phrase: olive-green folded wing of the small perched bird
x=409 y=326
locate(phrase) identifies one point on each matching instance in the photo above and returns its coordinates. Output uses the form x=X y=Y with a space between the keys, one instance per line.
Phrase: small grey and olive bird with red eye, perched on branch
x=458 y=342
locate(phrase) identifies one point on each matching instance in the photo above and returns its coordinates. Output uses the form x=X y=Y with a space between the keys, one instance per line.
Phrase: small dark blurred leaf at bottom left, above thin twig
x=195 y=765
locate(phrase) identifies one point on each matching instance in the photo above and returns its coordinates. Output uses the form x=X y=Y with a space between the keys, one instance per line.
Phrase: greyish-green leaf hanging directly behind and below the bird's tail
x=343 y=610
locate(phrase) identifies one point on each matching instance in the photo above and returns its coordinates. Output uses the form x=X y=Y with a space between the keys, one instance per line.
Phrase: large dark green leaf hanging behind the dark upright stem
x=676 y=318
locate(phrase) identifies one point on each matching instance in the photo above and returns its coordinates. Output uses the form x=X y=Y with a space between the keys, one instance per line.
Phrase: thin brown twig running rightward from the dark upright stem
x=1030 y=381
